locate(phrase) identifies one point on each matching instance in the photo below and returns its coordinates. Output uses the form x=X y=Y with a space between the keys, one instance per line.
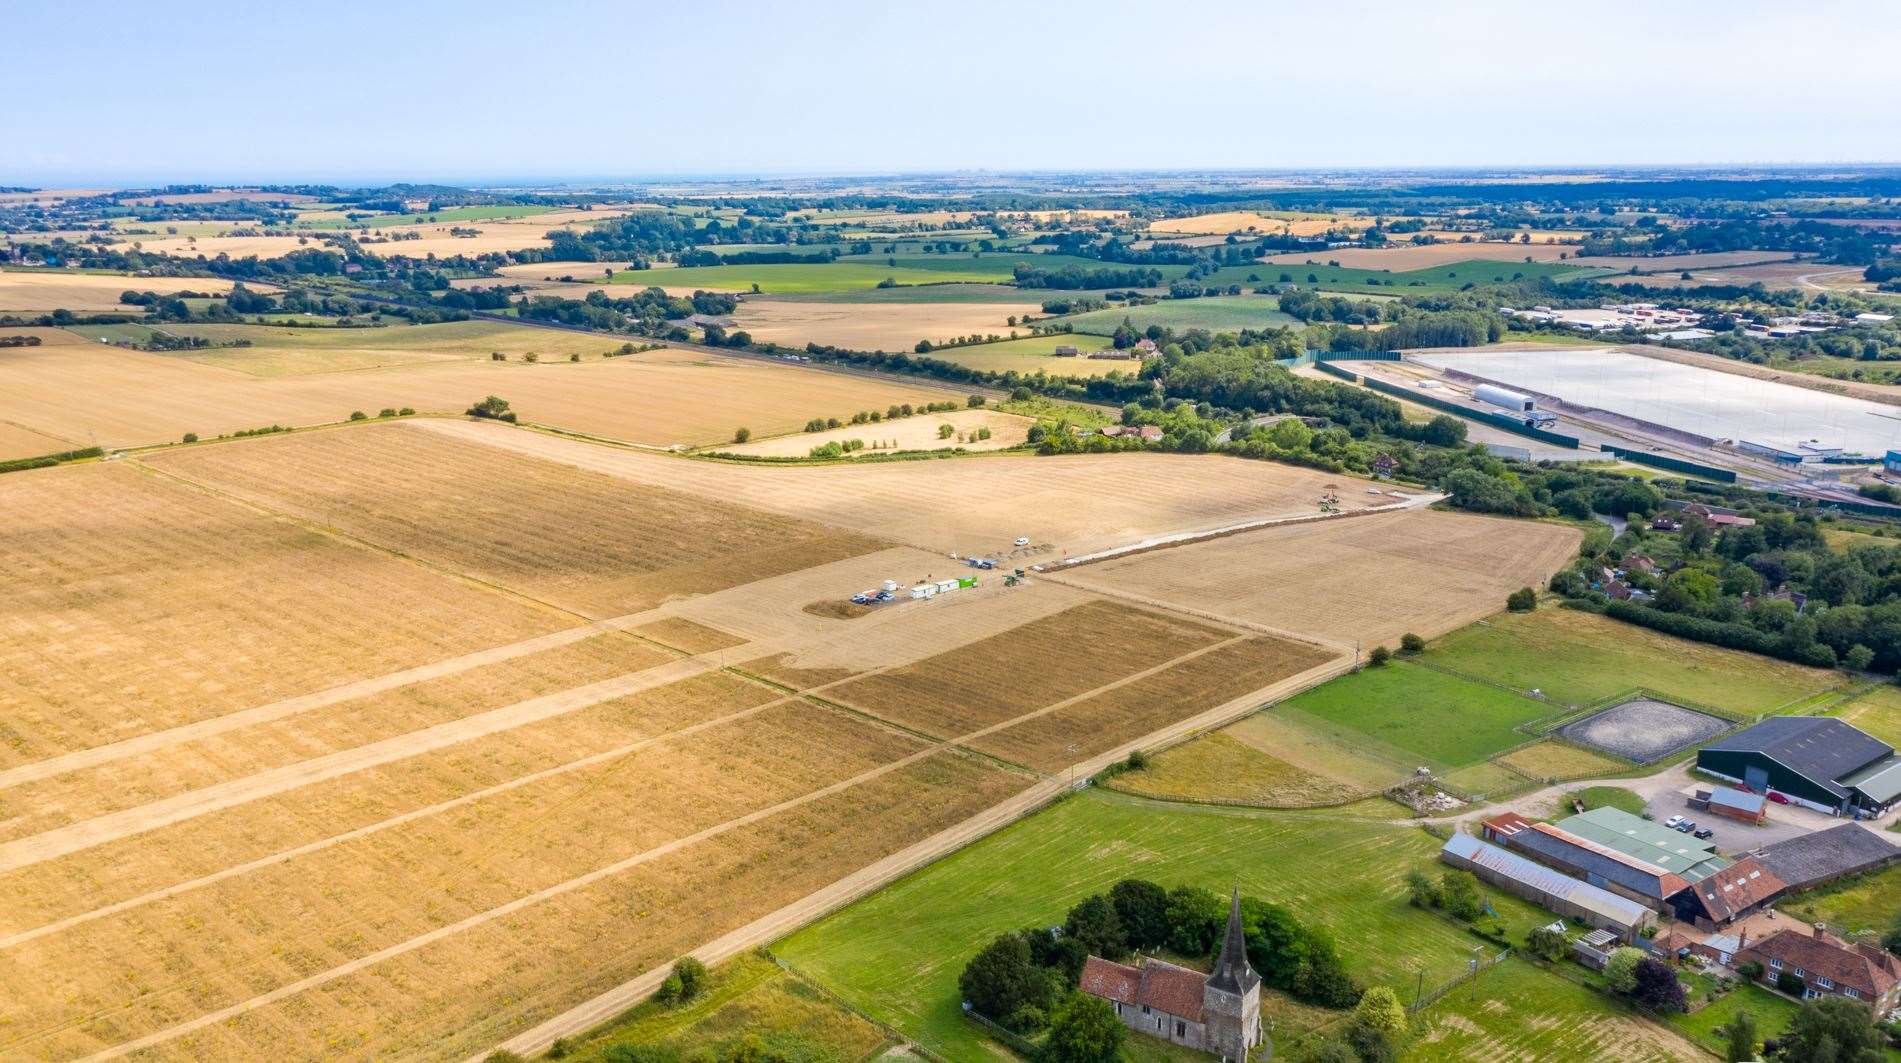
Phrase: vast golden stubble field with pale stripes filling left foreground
x=387 y=743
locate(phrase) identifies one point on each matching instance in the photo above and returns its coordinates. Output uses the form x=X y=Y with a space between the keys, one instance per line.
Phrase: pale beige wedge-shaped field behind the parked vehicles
x=1064 y=505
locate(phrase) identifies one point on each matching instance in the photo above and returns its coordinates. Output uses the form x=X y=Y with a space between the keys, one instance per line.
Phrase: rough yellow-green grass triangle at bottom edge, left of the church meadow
x=748 y=1001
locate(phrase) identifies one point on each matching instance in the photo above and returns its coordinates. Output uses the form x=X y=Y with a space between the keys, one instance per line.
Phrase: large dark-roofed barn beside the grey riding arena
x=1815 y=762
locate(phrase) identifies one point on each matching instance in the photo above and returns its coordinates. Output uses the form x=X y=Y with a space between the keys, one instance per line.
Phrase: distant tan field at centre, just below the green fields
x=875 y=326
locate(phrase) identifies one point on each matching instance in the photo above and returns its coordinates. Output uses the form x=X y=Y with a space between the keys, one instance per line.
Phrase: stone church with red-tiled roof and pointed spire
x=1210 y=1013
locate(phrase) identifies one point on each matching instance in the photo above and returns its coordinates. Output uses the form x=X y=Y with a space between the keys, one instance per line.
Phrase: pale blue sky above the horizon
x=488 y=90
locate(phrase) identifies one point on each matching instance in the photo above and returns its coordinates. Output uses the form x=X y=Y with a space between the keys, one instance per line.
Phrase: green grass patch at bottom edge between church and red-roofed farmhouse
x=1520 y=1013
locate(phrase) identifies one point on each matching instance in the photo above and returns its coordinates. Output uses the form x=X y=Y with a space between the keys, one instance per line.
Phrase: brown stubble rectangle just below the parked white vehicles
x=1027 y=668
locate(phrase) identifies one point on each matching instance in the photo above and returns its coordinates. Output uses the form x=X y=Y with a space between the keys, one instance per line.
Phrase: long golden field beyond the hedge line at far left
x=662 y=398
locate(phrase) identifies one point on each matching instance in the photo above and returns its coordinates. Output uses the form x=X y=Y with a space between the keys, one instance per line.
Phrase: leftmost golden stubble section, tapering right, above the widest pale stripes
x=132 y=604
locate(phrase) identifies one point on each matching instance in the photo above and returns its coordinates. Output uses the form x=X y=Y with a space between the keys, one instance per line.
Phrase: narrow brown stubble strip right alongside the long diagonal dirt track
x=1151 y=703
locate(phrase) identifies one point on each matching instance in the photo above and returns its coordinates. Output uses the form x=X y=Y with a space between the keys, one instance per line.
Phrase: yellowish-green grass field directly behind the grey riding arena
x=1579 y=659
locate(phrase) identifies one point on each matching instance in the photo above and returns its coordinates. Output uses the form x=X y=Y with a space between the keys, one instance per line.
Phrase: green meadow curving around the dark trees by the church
x=898 y=954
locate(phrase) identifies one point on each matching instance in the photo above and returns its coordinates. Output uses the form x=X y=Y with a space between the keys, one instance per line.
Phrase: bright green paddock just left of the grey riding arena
x=1440 y=720
